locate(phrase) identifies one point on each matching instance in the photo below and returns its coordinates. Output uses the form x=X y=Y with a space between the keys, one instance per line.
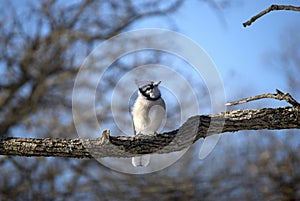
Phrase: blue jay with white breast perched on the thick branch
x=148 y=114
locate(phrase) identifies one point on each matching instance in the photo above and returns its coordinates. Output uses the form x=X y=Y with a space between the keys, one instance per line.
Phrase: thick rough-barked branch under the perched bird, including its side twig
x=193 y=129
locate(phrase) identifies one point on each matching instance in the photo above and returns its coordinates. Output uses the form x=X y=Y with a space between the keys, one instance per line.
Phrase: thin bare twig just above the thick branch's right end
x=278 y=96
